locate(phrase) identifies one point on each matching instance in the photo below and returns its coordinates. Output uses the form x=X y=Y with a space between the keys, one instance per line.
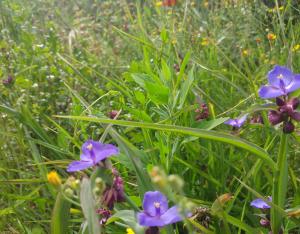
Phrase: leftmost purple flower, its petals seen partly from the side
x=92 y=153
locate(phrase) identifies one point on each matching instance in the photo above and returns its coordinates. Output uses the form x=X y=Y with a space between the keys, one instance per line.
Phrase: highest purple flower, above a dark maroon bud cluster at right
x=281 y=82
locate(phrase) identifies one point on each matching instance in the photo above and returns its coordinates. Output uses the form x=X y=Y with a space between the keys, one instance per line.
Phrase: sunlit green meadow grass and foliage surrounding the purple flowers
x=75 y=61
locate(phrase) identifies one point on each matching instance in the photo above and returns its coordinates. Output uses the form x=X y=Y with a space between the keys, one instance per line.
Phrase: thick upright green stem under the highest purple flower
x=280 y=184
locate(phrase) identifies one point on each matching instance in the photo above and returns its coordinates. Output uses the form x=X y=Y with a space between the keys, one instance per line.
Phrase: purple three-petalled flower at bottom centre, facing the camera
x=156 y=212
